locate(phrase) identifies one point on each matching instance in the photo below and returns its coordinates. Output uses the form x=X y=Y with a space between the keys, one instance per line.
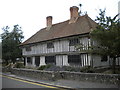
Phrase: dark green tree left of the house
x=10 y=43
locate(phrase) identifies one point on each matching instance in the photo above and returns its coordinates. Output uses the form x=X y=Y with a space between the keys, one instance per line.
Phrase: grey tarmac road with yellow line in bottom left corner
x=11 y=82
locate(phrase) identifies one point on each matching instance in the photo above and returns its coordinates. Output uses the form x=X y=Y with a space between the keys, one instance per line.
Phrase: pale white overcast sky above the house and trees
x=31 y=14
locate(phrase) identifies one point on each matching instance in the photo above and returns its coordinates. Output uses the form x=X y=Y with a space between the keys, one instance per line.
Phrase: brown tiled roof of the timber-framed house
x=83 y=25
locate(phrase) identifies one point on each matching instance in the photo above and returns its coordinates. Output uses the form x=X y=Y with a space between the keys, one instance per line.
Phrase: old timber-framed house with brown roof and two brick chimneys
x=56 y=43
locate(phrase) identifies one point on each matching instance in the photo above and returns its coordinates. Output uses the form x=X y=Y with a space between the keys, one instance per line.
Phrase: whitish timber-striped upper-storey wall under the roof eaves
x=59 y=46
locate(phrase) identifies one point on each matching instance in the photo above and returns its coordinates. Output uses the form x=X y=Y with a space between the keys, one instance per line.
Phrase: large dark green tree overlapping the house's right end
x=107 y=36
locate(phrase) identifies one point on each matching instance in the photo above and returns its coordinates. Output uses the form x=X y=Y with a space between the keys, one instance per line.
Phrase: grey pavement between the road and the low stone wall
x=70 y=83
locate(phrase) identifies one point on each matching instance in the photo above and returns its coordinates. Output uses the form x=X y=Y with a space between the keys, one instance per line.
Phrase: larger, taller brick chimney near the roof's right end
x=73 y=14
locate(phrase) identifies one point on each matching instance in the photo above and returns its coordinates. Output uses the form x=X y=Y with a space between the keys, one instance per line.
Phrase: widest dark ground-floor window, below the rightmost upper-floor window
x=76 y=59
